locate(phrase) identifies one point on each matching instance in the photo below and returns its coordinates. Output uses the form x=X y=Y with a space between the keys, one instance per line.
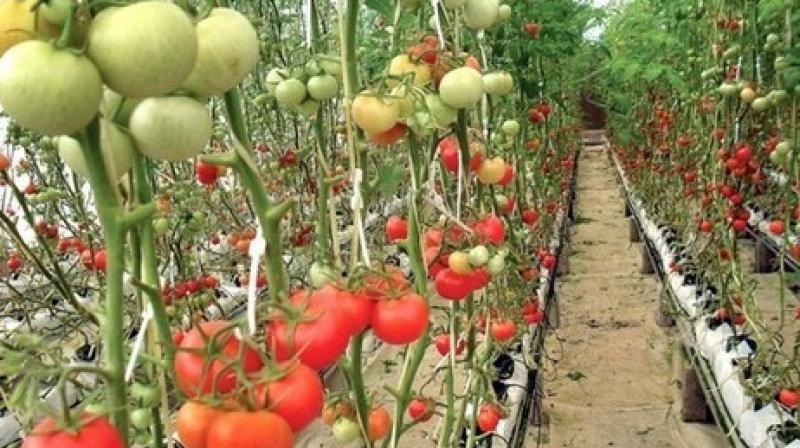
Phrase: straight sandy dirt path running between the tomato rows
x=613 y=383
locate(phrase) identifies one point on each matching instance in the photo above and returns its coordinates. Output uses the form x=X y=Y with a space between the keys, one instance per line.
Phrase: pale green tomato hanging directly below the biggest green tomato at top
x=171 y=128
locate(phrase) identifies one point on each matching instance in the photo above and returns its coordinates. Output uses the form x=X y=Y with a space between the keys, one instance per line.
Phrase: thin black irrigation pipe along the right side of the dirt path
x=700 y=365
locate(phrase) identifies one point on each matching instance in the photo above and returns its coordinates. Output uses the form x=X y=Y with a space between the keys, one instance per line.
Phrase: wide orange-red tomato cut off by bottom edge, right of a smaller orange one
x=239 y=429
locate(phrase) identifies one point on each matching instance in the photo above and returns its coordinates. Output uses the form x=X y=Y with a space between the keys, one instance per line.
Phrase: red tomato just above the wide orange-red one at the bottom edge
x=298 y=396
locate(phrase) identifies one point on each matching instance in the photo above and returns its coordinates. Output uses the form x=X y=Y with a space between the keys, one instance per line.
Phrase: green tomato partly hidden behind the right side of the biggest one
x=227 y=52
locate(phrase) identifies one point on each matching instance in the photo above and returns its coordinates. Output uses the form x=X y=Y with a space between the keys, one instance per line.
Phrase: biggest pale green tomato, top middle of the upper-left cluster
x=145 y=49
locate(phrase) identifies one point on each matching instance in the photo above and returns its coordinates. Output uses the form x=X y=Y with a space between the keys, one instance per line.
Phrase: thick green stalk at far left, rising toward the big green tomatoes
x=110 y=212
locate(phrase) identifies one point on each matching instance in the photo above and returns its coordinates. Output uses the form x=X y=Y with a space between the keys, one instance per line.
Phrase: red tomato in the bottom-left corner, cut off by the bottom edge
x=95 y=432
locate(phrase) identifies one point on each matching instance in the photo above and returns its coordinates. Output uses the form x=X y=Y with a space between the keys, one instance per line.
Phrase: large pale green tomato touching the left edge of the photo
x=50 y=91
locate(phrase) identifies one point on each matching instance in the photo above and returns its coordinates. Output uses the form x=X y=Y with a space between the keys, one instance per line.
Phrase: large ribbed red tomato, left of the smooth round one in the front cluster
x=320 y=337
